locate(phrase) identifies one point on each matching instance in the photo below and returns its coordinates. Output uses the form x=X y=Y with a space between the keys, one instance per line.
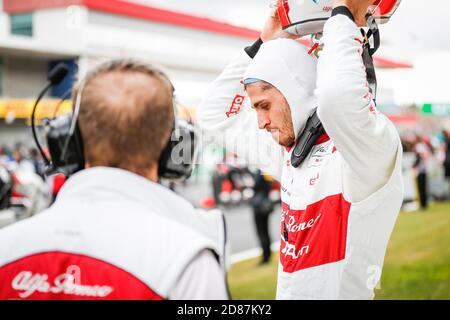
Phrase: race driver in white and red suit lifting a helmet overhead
x=340 y=205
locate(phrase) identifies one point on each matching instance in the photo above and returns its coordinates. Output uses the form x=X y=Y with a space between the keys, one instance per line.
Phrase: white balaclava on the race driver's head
x=286 y=65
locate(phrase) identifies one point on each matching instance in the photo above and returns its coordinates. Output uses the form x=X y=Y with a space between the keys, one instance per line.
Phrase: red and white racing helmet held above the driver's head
x=304 y=17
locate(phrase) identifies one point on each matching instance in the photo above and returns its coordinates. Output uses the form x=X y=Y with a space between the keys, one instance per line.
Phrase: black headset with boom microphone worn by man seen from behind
x=65 y=143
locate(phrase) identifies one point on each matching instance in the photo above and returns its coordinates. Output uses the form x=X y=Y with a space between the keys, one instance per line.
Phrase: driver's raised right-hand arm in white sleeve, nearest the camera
x=366 y=139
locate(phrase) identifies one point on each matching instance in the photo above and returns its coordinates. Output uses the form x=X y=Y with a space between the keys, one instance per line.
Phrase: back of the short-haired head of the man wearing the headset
x=126 y=115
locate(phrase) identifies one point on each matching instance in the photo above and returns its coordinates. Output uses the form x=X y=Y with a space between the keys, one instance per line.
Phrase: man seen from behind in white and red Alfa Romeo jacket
x=113 y=232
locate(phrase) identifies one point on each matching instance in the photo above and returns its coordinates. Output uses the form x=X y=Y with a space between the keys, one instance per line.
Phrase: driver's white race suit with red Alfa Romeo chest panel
x=340 y=205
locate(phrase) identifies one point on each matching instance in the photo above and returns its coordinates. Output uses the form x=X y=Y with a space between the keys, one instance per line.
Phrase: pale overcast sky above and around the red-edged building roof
x=418 y=34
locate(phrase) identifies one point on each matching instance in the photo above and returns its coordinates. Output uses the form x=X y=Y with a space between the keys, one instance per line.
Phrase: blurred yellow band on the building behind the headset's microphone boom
x=22 y=108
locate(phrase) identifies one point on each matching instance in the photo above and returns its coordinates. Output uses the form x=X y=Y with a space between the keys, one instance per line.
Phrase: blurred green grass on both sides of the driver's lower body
x=417 y=263
